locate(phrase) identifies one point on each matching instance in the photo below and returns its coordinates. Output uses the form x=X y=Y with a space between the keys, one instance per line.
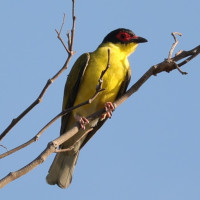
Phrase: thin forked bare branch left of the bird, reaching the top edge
x=51 y=80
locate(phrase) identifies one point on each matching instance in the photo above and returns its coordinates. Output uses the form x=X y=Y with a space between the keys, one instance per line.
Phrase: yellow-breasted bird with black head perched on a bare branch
x=81 y=85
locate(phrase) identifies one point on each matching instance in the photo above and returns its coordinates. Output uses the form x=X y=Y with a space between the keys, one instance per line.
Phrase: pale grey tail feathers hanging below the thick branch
x=62 y=168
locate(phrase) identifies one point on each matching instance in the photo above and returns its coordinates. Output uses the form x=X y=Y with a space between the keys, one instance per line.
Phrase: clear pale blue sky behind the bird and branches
x=150 y=148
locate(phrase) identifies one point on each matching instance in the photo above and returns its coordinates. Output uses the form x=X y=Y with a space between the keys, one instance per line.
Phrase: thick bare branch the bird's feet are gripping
x=52 y=146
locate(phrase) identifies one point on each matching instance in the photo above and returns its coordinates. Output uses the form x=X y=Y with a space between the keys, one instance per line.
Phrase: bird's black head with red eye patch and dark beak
x=124 y=36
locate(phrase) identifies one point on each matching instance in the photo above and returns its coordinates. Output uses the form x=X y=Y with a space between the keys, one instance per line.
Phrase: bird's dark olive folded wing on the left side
x=72 y=85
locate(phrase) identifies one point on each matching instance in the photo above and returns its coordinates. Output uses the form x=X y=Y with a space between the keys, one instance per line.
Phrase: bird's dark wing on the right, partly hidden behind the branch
x=122 y=90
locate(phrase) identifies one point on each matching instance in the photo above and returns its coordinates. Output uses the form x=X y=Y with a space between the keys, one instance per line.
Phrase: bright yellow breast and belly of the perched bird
x=112 y=79
